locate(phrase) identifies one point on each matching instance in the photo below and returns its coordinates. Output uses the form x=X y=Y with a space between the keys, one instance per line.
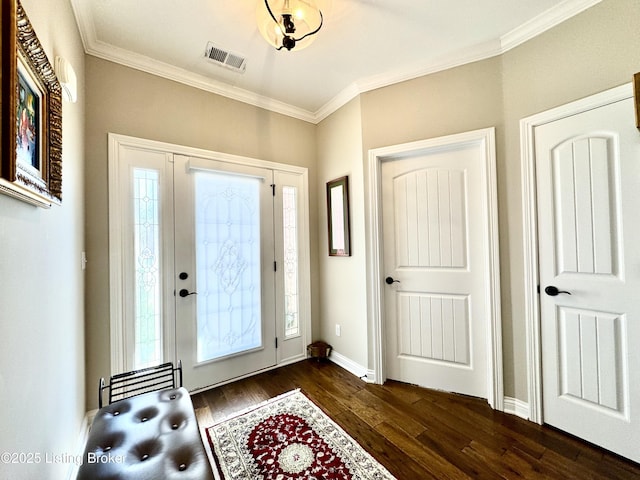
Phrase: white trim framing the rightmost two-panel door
x=530 y=231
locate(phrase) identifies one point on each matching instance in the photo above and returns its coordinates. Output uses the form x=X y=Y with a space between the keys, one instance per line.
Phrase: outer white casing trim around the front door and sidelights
x=116 y=314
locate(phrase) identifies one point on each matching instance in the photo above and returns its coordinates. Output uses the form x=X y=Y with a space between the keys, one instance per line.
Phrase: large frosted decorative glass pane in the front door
x=228 y=267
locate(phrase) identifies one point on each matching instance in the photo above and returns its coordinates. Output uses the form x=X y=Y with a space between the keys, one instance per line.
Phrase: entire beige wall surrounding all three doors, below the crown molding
x=586 y=54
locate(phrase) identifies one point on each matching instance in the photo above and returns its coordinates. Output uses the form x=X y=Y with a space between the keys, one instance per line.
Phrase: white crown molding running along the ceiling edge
x=512 y=39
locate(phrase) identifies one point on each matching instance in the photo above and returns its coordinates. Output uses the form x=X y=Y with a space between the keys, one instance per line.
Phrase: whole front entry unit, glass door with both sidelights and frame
x=209 y=261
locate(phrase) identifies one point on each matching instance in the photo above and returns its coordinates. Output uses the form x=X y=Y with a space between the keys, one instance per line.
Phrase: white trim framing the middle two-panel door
x=485 y=138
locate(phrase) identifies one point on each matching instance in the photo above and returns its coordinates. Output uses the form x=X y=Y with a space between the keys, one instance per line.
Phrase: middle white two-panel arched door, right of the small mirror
x=435 y=224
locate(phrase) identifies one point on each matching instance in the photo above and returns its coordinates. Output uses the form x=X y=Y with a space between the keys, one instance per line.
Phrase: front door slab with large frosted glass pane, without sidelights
x=224 y=264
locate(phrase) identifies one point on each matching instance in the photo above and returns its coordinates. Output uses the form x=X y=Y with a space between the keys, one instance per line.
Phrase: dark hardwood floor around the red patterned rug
x=423 y=434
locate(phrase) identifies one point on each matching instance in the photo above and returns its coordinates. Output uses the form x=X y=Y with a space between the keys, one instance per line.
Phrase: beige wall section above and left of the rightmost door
x=587 y=54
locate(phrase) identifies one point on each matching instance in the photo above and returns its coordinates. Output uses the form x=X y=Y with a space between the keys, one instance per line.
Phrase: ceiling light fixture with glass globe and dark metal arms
x=289 y=23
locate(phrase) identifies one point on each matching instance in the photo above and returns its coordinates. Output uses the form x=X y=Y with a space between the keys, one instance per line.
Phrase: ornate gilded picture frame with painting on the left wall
x=31 y=108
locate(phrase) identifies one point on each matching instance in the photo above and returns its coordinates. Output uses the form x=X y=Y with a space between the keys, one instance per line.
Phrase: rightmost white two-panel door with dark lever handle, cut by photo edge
x=588 y=191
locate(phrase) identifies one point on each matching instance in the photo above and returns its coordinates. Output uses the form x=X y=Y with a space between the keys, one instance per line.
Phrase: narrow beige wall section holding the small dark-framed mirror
x=343 y=294
